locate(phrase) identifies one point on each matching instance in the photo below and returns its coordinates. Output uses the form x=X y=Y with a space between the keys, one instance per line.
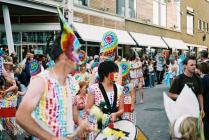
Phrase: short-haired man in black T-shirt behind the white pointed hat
x=189 y=78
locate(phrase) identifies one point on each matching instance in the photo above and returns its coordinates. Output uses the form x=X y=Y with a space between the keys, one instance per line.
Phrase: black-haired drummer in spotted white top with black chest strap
x=106 y=95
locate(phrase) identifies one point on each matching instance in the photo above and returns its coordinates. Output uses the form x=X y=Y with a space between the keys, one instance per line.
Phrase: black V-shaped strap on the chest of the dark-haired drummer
x=113 y=108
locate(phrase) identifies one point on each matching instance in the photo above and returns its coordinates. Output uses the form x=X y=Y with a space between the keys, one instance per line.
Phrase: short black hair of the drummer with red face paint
x=105 y=68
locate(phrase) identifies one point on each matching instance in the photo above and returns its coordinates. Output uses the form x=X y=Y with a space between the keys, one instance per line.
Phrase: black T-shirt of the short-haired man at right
x=193 y=82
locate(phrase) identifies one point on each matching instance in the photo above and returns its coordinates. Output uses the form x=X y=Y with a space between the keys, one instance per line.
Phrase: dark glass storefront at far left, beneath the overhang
x=34 y=42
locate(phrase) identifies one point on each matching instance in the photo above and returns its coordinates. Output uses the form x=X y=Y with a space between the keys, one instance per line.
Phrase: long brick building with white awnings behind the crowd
x=173 y=24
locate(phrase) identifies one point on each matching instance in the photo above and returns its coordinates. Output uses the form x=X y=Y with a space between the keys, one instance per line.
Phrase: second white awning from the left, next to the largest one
x=148 y=40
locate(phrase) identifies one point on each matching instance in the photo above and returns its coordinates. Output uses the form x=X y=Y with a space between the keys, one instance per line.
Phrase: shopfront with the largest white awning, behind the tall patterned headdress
x=90 y=37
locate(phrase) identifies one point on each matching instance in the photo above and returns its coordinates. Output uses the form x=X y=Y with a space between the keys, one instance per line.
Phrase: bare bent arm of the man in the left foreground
x=30 y=101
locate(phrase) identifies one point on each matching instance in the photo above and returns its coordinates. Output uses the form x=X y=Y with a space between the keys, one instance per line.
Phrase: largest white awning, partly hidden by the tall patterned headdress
x=95 y=33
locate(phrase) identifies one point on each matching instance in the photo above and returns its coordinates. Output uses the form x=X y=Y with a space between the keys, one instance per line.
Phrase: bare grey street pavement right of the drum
x=151 y=116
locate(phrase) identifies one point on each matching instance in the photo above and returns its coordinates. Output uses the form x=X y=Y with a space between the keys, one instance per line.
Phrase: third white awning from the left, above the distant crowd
x=175 y=43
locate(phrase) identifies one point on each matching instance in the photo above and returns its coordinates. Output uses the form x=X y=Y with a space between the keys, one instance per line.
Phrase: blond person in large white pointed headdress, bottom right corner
x=184 y=116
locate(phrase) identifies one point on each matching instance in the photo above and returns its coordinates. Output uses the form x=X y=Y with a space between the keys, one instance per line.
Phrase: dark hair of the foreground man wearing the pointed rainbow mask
x=56 y=49
